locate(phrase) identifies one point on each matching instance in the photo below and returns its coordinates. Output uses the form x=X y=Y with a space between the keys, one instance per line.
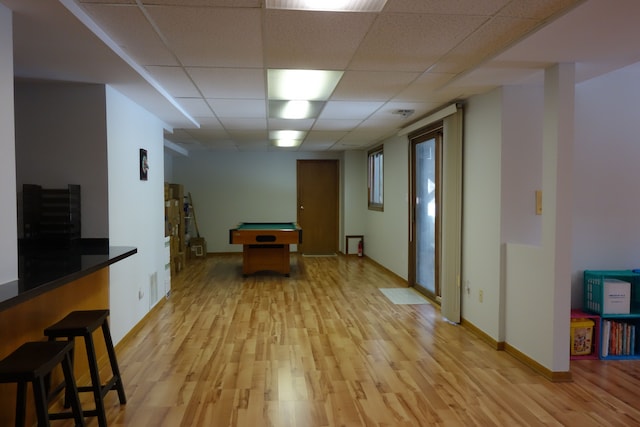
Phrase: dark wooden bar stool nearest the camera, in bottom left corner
x=33 y=362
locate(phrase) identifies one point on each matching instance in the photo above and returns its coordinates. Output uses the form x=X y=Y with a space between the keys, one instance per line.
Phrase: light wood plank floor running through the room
x=324 y=347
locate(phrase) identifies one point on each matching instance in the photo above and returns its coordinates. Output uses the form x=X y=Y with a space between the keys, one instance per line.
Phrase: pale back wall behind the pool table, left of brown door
x=232 y=187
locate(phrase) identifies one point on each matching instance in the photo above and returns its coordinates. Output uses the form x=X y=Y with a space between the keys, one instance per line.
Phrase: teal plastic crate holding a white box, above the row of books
x=594 y=289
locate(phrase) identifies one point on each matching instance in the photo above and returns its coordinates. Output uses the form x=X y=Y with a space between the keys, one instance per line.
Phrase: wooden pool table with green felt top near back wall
x=265 y=245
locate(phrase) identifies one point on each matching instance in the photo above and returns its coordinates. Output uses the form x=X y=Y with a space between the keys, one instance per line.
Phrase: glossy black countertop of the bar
x=43 y=268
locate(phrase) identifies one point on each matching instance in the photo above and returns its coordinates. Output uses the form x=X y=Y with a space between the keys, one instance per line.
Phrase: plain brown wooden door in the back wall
x=317 y=182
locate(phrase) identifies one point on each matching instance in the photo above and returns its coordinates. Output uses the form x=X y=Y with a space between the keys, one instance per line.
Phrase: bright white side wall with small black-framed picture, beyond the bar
x=136 y=210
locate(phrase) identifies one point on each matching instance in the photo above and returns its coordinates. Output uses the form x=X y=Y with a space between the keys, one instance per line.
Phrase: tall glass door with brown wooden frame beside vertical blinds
x=424 y=249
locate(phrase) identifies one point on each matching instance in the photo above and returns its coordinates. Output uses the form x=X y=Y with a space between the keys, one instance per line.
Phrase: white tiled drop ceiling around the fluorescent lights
x=201 y=65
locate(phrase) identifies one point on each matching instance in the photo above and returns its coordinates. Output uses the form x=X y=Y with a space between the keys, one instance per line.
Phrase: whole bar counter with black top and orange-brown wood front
x=53 y=281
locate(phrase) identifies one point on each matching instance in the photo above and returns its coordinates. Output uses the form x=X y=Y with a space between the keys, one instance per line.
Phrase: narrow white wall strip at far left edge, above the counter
x=8 y=231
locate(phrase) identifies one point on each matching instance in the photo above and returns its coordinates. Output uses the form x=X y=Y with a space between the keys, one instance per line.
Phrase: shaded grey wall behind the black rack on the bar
x=71 y=118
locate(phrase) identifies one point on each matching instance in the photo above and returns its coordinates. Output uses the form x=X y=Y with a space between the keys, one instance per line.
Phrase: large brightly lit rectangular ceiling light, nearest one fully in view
x=309 y=85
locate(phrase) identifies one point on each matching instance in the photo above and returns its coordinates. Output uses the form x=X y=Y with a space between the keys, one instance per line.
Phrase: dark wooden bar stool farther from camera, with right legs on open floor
x=84 y=324
